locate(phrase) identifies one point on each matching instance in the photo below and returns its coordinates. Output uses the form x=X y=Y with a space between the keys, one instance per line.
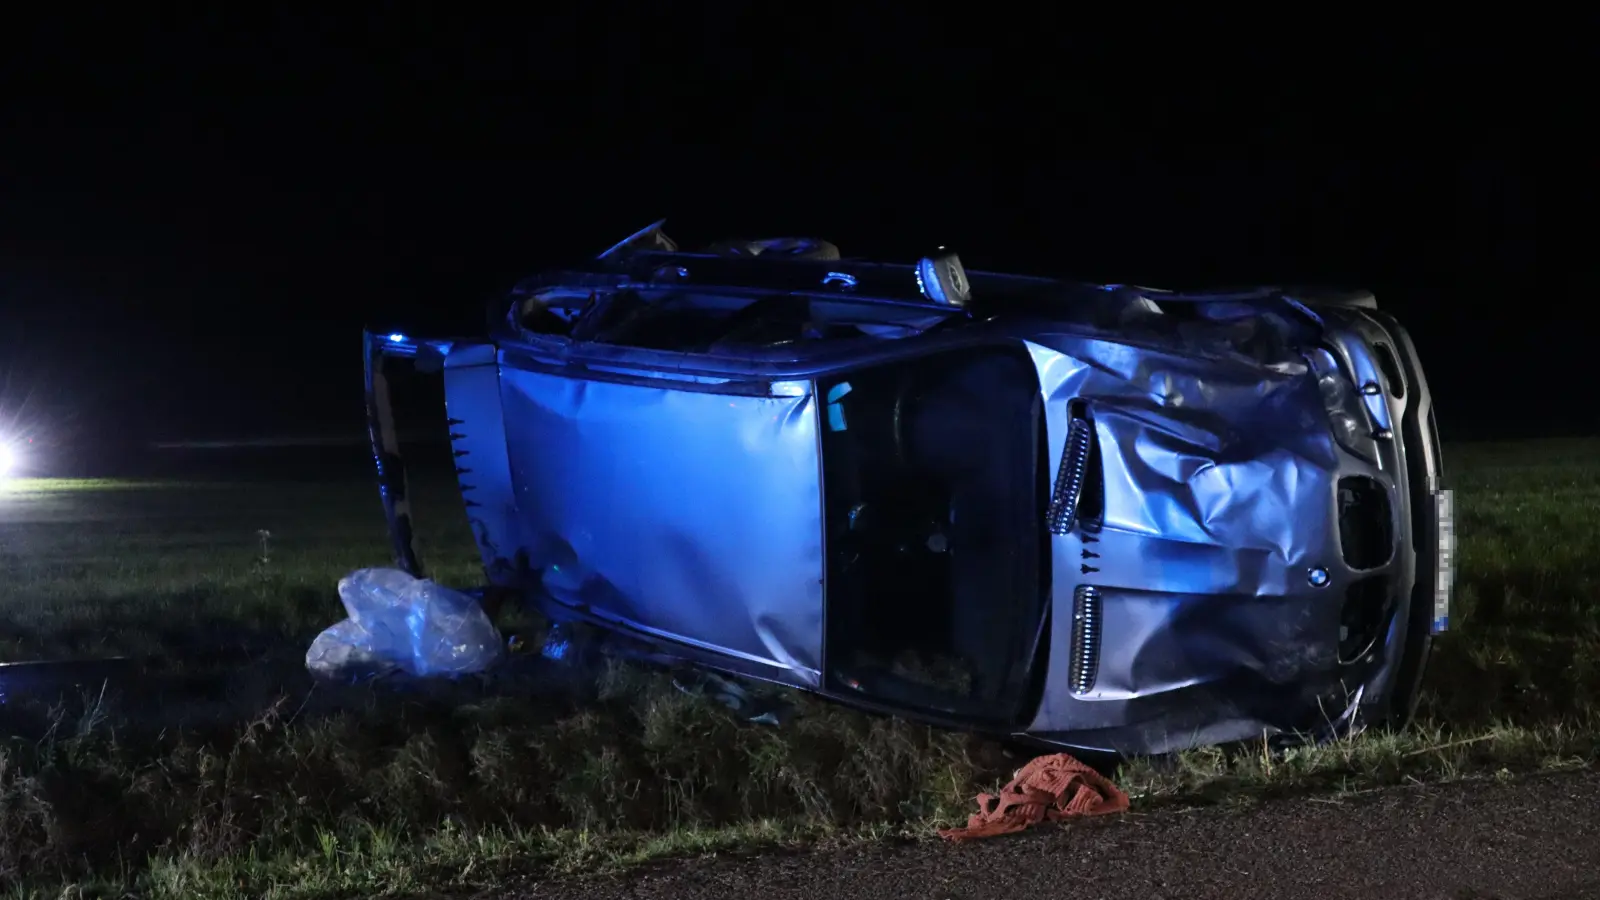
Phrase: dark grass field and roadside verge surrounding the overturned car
x=420 y=794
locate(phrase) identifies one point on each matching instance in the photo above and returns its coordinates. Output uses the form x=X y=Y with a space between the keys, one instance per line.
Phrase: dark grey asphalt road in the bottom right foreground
x=1529 y=840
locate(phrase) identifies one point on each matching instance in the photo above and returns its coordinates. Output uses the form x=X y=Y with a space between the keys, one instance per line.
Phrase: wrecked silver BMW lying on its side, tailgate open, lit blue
x=1094 y=516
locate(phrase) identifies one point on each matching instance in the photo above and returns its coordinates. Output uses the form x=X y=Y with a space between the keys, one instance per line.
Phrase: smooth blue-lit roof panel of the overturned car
x=687 y=515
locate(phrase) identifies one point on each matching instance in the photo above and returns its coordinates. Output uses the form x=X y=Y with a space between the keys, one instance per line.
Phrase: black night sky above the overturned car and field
x=198 y=217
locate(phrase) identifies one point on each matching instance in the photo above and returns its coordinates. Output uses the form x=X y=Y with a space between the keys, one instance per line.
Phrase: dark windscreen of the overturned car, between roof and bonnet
x=937 y=544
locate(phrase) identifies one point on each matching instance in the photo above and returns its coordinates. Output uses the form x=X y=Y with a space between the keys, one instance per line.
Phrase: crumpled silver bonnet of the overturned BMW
x=1215 y=563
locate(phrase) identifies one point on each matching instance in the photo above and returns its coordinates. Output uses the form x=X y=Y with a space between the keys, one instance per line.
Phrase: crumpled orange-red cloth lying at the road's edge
x=1049 y=789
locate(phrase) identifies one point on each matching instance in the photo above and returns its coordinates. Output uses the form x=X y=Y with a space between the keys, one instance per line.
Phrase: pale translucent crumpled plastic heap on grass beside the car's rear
x=409 y=625
